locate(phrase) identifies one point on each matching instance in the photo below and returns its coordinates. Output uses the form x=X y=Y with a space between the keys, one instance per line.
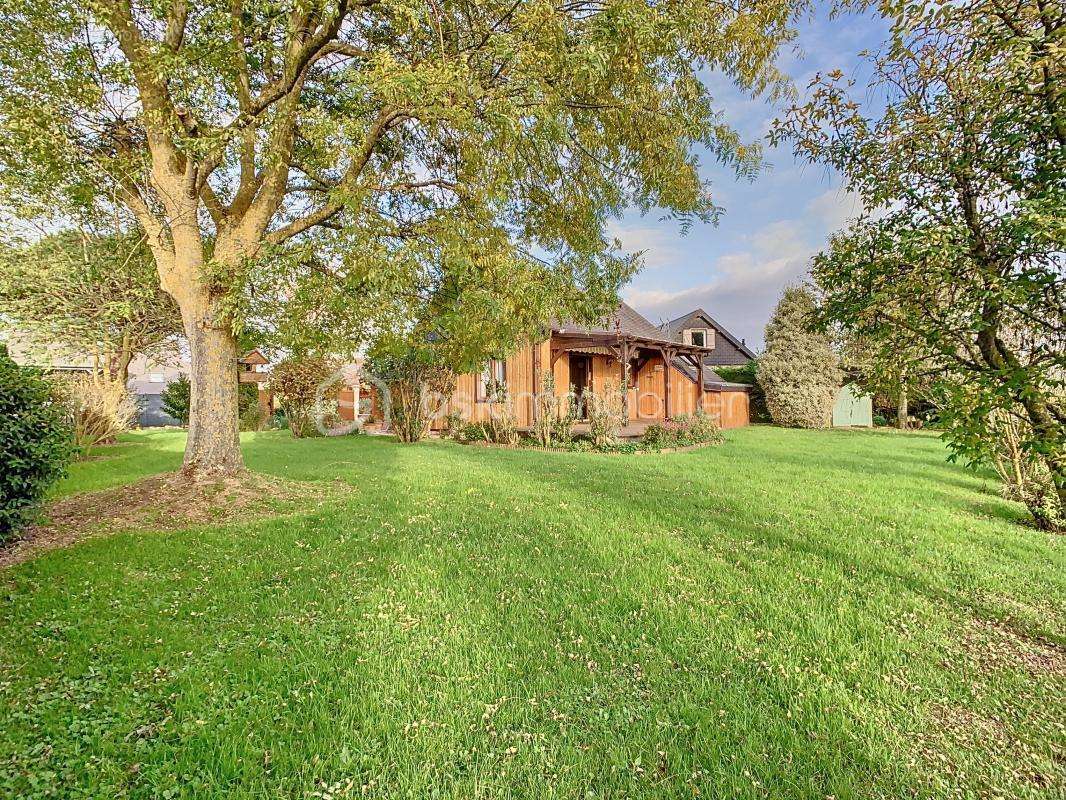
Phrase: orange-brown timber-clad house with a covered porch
x=668 y=375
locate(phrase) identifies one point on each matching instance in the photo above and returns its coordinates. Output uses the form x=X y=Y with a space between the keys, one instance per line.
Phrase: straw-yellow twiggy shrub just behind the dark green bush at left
x=100 y=409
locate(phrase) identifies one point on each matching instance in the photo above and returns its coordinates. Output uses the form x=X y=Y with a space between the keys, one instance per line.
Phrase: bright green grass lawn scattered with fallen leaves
x=794 y=615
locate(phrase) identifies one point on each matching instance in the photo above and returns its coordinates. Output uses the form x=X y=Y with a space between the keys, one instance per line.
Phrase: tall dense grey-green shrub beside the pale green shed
x=800 y=372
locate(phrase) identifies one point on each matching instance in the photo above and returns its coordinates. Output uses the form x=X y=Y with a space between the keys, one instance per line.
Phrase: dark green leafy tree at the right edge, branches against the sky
x=958 y=263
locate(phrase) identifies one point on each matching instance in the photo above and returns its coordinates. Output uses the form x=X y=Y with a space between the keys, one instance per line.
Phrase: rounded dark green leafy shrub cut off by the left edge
x=36 y=443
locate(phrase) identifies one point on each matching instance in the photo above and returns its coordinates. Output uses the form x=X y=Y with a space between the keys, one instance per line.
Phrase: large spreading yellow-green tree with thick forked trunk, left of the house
x=397 y=147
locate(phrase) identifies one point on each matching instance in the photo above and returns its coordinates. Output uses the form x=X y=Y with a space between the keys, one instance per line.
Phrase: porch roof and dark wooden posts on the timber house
x=633 y=341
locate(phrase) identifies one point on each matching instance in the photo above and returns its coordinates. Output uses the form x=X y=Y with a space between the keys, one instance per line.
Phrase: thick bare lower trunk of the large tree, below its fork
x=214 y=446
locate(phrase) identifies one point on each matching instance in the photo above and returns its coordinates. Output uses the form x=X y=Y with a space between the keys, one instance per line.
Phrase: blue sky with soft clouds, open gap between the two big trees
x=773 y=226
